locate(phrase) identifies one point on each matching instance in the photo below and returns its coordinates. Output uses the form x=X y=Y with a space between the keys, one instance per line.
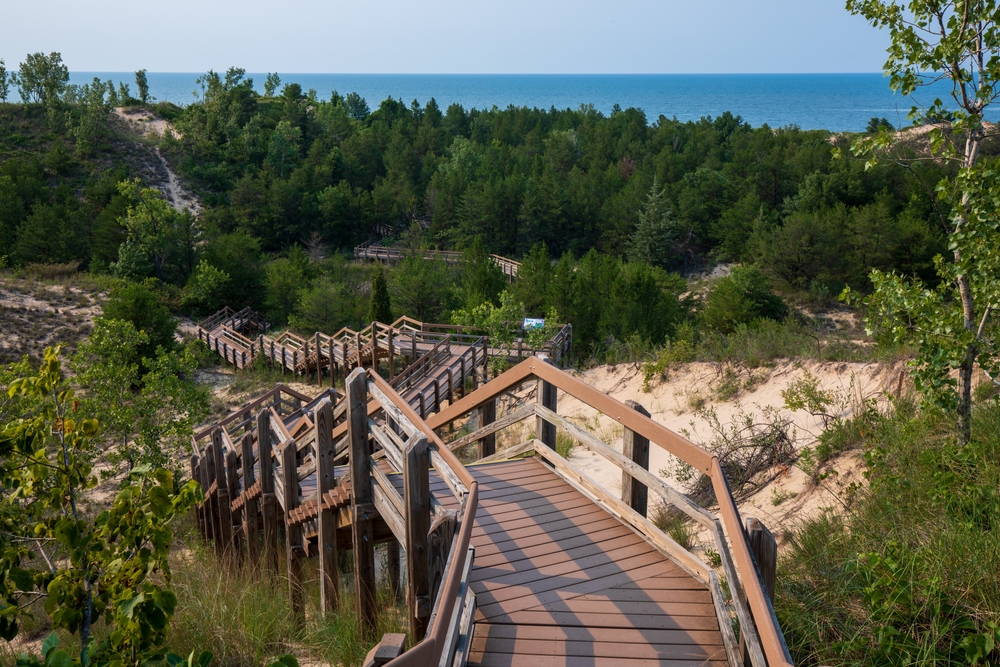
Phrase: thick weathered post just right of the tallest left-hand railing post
x=417 y=500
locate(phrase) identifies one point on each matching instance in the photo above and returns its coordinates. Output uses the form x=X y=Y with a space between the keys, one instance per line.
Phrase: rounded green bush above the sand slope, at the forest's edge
x=740 y=298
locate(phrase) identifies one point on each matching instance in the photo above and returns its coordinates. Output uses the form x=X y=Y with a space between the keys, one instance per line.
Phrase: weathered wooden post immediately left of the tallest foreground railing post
x=329 y=581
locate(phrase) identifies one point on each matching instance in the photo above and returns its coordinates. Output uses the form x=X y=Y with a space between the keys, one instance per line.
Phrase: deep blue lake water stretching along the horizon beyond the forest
x=838 y=102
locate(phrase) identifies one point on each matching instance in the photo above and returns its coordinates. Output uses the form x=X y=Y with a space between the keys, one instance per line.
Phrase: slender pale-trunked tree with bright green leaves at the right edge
x=949 y=324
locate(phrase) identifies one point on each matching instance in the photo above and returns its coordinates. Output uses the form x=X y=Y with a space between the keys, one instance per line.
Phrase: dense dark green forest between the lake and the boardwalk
x=615 y=206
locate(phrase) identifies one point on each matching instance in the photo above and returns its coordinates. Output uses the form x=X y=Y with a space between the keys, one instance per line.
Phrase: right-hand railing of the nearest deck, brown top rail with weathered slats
x=760 y=634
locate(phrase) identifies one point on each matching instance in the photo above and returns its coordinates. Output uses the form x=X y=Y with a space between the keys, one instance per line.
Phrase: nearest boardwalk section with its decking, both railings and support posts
x=508 y=562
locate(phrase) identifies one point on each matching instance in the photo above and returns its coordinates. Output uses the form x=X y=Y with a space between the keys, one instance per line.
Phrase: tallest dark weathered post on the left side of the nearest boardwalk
x=362 y=496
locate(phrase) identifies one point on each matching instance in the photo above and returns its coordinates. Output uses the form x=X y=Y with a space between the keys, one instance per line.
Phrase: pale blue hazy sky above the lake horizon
x=446 y=36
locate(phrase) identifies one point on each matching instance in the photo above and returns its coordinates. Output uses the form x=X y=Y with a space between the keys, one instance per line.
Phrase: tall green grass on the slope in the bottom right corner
x=910 y=574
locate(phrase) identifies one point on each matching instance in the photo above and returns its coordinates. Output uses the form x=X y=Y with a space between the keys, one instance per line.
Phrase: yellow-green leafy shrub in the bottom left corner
x=94 y=567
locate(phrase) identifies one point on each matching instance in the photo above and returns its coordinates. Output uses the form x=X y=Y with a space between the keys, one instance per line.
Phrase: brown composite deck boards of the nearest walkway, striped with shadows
x=559 y=581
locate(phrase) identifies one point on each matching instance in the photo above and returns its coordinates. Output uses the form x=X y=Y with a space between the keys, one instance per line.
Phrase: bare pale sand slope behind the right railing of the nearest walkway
x=680 y=403
